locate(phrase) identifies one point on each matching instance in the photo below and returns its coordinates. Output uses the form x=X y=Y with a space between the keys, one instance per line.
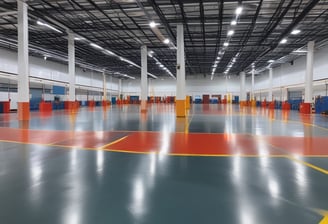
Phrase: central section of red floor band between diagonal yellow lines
x=193 y=143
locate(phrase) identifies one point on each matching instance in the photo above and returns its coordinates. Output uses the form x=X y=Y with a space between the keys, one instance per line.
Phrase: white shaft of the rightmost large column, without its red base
x=309 y=73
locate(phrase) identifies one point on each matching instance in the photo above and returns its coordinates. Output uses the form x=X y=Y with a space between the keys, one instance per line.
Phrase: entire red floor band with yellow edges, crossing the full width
x=173 y=143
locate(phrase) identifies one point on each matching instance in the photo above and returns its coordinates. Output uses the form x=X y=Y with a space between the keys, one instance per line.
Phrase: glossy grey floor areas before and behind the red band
x=47 y=184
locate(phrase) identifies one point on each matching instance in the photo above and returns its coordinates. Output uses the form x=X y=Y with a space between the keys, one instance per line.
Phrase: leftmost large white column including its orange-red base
x=23 y=64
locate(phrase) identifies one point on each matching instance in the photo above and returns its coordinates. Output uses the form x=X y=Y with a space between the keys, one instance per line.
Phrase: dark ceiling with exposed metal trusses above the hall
x=122 y=27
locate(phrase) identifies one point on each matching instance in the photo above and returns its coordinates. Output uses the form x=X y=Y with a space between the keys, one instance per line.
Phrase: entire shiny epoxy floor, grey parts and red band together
x=222 y=164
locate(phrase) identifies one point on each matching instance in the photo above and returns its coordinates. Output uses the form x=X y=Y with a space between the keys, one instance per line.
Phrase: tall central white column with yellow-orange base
x=181 y=80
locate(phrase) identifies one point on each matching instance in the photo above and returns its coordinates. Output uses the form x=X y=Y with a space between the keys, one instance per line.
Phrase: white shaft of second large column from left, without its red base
x=71 y=67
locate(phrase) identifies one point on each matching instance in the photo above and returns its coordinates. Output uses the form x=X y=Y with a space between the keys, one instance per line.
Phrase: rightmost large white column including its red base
x=306 y=106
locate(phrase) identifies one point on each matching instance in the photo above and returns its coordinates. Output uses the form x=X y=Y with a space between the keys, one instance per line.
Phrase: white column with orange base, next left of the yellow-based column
x=144 y=84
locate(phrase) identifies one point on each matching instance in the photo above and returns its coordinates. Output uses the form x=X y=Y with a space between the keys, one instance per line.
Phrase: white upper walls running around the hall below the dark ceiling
x=285 y=77
